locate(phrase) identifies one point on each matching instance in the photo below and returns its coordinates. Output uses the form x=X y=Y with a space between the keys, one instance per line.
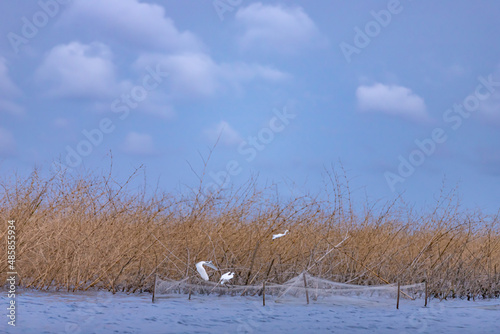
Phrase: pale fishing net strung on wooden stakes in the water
x=300 y=289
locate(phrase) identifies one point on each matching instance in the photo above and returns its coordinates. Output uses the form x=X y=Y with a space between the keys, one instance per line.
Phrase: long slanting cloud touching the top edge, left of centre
x=139 y=23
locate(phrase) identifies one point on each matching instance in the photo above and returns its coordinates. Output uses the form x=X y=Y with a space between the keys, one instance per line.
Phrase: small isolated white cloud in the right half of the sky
x=392 y=100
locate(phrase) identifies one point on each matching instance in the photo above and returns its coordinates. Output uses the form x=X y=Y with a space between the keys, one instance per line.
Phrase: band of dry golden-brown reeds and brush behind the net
x=89 y=231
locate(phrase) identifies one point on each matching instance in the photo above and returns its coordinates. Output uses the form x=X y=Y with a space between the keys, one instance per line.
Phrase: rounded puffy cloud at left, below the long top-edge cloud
x=78 y=70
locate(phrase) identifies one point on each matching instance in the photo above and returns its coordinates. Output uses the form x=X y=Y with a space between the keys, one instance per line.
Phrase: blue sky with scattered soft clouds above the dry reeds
x=404 y=95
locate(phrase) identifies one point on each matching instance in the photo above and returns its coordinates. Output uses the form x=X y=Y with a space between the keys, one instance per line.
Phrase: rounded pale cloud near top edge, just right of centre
x=277 y=28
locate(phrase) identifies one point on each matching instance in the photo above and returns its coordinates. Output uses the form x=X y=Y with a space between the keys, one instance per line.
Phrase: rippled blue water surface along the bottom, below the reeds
x=92 y=312
